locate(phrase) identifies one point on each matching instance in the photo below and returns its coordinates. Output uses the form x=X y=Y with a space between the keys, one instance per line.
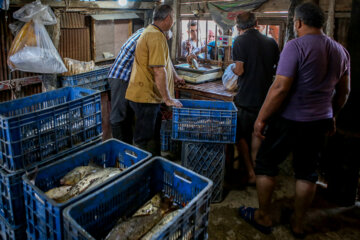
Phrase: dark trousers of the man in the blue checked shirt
x=121 y=116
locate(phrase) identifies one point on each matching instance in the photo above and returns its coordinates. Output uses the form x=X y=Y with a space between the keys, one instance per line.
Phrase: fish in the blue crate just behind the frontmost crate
x=79 y=180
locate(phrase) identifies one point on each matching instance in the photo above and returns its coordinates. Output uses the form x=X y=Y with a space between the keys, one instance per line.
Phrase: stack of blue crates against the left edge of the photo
x=35 y=131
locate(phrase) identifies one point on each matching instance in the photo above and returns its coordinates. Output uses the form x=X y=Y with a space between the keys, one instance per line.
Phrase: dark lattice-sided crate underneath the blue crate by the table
x=207 y=159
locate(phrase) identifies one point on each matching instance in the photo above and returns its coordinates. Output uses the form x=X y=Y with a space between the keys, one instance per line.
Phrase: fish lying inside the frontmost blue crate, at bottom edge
x=147 y=221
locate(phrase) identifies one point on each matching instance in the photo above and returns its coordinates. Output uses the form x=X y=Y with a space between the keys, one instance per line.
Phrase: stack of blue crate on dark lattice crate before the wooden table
x=205 y=127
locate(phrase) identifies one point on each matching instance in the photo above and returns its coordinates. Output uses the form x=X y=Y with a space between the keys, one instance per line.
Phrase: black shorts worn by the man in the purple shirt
x=304 y=139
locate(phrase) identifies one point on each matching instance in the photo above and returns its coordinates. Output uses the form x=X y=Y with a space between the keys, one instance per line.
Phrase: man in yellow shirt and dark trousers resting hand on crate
x=152 y=79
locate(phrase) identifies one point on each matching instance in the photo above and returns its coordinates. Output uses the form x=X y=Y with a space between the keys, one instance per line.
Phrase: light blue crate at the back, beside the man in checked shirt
x=96 y=79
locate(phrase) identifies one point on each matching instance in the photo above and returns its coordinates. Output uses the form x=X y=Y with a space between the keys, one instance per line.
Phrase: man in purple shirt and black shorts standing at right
x=312 y=84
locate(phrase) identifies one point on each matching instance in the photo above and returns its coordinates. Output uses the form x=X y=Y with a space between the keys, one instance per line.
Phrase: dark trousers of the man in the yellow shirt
x=147 y=126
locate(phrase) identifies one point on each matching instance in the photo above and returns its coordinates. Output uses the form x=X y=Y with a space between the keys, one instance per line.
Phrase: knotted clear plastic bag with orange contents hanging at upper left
x=32 y=49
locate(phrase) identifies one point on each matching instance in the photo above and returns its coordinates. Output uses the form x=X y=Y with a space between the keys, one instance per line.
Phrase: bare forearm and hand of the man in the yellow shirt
x=161 y=83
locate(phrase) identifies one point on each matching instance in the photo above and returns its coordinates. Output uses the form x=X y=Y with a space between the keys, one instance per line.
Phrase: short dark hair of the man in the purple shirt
x=310 y=14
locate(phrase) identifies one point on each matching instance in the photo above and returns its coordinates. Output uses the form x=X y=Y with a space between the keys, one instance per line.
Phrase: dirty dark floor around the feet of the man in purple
x=323 y=221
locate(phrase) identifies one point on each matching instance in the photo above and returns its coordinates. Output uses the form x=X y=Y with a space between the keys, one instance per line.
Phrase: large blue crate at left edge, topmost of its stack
x=37 y=128
